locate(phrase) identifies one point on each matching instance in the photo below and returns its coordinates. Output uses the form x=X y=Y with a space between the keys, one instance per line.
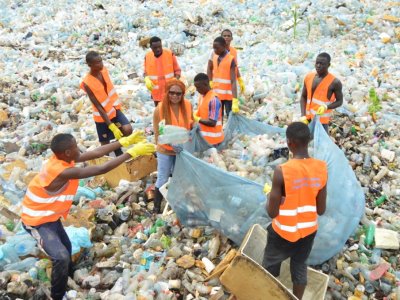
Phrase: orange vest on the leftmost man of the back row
x=109 y=99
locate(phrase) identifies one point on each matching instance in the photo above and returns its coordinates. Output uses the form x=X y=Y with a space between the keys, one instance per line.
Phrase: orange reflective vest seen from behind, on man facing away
x=303 y=178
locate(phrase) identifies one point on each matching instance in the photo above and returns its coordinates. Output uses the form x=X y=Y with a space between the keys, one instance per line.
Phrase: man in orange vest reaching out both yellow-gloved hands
x=50 y=193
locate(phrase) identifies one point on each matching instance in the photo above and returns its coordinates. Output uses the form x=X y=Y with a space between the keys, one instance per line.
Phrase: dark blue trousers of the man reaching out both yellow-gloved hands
x=55 y=242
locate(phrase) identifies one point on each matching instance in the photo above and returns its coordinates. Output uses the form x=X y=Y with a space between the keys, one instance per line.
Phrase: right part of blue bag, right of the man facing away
x=345 y=201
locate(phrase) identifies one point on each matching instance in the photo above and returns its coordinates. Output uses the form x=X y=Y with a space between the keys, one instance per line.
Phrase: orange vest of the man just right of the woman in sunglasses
x=213 y=135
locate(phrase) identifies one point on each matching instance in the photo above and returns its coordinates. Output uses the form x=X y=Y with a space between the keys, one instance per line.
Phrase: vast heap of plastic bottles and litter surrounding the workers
x=42 y=61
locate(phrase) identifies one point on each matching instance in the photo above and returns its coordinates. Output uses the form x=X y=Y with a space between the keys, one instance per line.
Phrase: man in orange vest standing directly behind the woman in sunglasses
x=160 y=65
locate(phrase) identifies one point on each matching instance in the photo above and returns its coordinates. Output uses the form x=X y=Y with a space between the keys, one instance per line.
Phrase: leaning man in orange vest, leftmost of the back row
x=110 y=121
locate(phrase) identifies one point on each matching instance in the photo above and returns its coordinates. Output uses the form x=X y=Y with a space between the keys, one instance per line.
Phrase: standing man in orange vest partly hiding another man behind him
x=223 y=77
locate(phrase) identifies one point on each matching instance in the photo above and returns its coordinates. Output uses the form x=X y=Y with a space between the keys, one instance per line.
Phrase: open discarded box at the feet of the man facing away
x=247 y=279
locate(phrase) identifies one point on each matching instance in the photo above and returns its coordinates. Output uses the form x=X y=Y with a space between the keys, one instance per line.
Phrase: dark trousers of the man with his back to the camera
x=278 y=249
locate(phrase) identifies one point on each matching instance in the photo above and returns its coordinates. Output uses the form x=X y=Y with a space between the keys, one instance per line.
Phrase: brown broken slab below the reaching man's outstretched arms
x=131 y=170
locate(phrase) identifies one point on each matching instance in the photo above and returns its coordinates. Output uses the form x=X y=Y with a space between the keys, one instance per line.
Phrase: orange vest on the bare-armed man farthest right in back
x=319 y=97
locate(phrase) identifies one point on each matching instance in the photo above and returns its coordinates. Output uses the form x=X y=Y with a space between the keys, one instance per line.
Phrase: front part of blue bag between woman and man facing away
x=202 y=194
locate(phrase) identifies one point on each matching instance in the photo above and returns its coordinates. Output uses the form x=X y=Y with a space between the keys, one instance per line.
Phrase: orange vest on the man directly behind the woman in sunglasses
x=152 y=70
